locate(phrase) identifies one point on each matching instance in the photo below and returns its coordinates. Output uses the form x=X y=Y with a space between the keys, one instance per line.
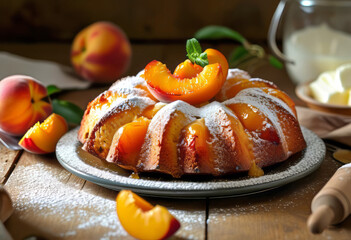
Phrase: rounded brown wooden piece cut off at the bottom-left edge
x=6 y=210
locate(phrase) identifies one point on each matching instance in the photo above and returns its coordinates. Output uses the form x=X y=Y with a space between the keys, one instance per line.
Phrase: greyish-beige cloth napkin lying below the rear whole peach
x=49 y=73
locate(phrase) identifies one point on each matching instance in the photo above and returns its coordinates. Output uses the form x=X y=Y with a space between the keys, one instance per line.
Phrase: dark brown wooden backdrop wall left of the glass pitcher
x=176 y=20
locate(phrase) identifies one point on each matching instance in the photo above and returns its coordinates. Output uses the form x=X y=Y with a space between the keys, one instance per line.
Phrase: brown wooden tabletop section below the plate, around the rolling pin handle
x=276 y=214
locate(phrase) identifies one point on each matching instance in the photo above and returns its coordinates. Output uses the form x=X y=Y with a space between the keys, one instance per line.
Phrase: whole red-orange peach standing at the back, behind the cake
x=101 y=52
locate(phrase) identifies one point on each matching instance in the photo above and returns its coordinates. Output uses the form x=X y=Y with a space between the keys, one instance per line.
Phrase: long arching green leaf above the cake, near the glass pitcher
x=219 y=32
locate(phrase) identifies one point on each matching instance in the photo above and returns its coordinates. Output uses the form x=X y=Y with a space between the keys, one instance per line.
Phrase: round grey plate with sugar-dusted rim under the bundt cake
x=88 y=167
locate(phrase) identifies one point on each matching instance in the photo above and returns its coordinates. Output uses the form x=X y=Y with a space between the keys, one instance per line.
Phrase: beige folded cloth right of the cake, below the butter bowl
x=326 y=125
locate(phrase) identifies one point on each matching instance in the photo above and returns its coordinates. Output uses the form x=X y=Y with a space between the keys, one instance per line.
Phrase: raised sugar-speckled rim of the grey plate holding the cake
x=176 y=192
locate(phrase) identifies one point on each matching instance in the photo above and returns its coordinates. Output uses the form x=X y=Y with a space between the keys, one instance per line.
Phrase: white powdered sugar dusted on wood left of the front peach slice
x=75 y=211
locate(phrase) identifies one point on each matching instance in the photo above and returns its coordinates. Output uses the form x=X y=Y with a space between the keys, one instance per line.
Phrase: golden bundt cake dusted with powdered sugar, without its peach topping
x=248 y=125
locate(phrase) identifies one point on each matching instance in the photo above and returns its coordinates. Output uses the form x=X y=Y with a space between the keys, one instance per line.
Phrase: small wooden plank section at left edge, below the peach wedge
x=8 y=159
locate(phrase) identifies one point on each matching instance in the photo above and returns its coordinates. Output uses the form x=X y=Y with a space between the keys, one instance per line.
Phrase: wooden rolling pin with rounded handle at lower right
x=333 y=203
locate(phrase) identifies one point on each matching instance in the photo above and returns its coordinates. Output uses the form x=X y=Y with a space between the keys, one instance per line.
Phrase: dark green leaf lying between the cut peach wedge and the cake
x=71 y=112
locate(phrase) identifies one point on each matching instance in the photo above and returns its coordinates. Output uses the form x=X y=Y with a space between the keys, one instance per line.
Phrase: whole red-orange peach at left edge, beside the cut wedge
x=23 y=102
